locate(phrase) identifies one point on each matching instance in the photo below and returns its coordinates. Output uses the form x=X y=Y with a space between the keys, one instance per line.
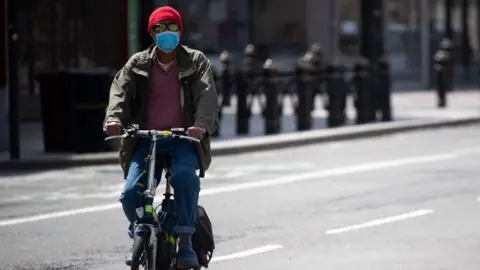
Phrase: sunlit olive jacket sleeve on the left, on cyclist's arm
x=121 y=93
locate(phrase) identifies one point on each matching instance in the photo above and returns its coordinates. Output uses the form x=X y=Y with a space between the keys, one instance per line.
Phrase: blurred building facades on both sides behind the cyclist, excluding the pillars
x=57 y=35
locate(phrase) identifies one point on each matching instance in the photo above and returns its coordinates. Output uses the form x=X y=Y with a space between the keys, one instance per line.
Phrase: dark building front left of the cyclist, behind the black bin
x=58 y=35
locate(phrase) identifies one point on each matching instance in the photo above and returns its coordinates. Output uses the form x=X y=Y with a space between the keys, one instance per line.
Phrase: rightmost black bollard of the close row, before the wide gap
x=384 y=85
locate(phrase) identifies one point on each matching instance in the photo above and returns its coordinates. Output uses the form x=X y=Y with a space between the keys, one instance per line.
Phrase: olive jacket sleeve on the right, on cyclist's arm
x=205 y=96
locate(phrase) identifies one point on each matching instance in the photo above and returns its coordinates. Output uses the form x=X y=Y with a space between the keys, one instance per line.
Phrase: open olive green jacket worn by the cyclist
x=129 y=93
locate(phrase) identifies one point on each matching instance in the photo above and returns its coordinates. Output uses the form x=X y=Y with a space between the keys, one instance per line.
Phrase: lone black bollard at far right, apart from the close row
x=441 y=71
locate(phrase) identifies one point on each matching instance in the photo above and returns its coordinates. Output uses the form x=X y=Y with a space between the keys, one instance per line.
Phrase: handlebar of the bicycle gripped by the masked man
x=173 y=133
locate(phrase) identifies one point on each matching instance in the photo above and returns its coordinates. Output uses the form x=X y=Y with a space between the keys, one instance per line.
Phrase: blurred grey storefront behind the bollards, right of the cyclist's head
x=412 y=28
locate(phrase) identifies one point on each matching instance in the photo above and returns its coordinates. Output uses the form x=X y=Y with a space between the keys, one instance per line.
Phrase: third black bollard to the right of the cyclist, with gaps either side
x=273 y=99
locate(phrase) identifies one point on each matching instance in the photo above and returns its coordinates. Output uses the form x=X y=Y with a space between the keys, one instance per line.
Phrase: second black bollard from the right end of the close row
x=362 y=99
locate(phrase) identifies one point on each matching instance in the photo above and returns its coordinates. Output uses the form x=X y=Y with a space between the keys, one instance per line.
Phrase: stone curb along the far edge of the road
x=248 y=145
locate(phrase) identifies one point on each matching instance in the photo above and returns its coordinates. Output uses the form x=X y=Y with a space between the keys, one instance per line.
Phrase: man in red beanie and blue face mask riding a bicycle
x=166 y=86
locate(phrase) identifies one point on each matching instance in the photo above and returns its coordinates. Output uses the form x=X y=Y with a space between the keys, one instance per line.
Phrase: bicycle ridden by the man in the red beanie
x=153 y=236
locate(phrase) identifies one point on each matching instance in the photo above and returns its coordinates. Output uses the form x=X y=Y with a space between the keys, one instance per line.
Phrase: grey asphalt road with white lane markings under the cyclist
x=407 y=201
